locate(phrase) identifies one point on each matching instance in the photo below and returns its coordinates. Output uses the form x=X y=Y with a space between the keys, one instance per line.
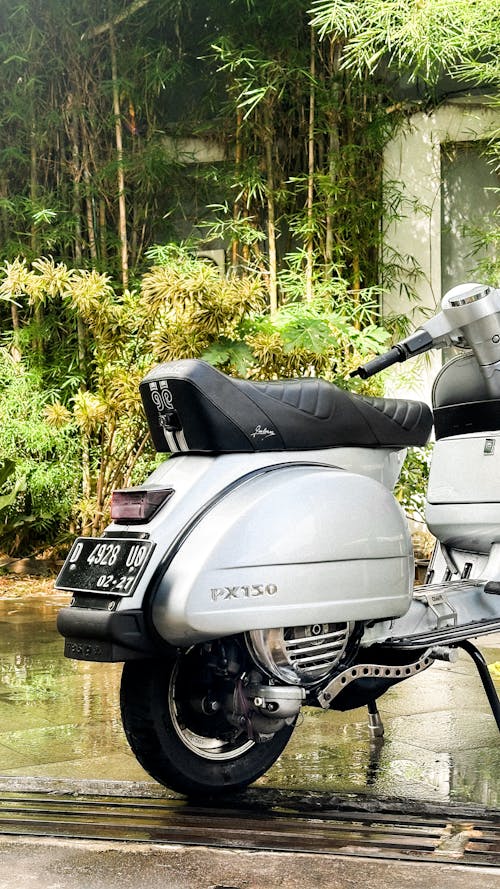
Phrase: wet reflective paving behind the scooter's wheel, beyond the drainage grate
x=60 y=719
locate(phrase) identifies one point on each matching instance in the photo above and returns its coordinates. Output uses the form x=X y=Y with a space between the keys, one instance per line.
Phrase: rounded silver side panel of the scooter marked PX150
x=294 y=545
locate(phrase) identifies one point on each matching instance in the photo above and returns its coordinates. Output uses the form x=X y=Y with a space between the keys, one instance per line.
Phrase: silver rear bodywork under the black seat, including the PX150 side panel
x=276 y=540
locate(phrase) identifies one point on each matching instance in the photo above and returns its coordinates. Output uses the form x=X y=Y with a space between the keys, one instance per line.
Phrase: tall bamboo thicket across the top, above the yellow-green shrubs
x=242 y=76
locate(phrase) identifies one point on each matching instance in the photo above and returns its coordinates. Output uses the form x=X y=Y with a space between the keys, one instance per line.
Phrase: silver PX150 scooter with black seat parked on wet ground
x=266 y=565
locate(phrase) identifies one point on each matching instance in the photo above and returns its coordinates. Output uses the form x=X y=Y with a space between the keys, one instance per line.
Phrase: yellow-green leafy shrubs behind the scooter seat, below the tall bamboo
x=74 y=444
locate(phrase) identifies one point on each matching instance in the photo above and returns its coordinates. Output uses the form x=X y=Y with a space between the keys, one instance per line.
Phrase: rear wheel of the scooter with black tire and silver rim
x=192 y=753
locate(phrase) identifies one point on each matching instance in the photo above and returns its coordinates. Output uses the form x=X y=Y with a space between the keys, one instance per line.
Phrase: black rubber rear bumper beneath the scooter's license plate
x=96 y=635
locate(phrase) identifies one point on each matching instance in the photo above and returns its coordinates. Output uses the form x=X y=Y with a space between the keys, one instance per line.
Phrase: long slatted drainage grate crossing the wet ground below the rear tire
x=393 y=835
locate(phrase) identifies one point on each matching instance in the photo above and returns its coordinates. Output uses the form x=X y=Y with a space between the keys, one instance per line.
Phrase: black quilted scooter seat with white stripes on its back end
x=192 y=407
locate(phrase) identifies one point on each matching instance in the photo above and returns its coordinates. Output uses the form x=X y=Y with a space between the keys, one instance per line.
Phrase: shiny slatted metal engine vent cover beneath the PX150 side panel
x=300 y=655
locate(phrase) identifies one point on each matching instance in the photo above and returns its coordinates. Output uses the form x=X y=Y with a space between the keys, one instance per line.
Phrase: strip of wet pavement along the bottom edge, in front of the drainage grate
x=79 y=865
